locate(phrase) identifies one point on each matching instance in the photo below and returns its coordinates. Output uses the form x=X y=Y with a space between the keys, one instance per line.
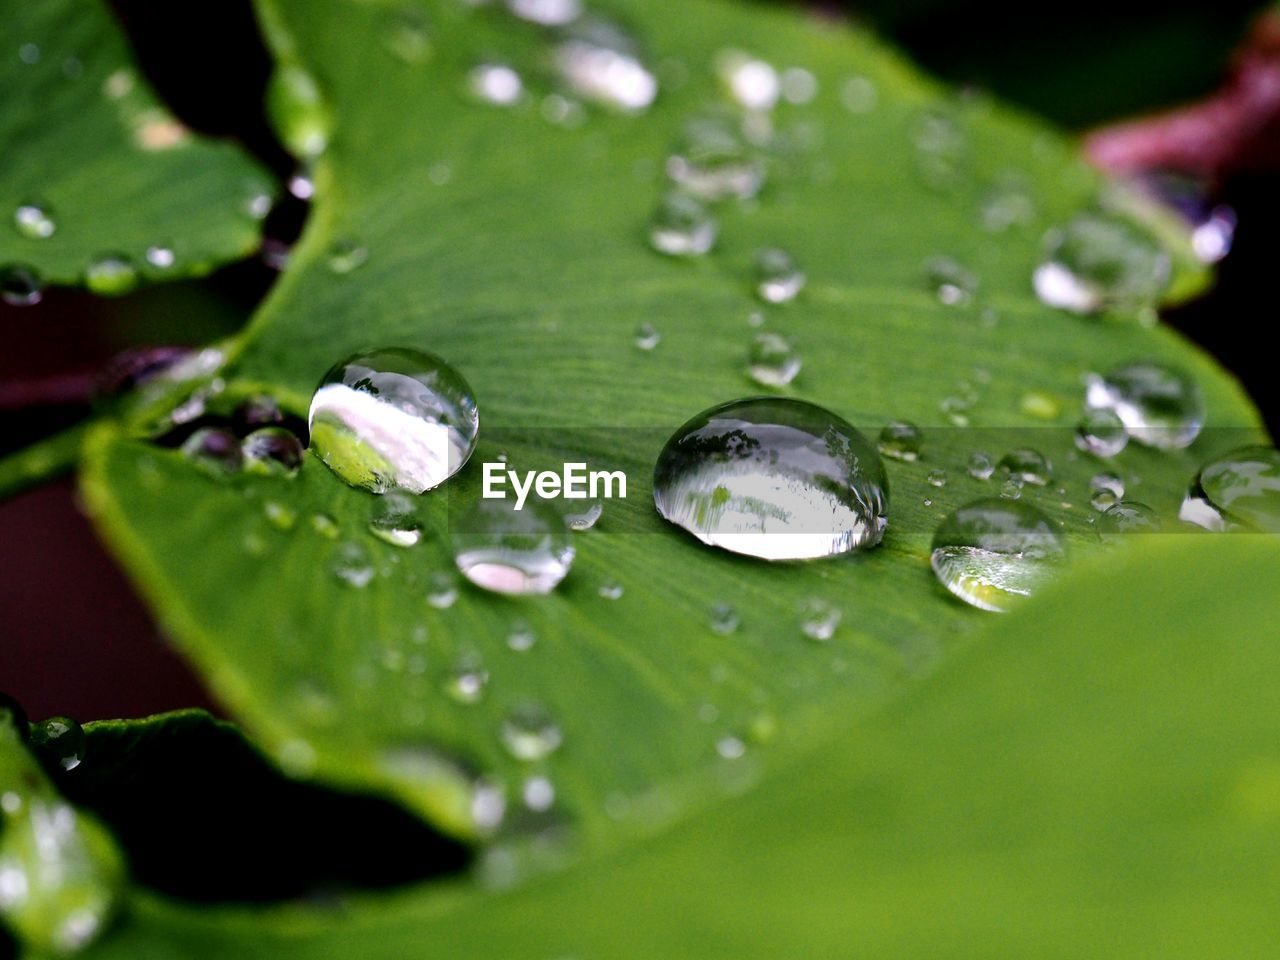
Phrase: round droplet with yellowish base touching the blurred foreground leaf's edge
x=993 y=554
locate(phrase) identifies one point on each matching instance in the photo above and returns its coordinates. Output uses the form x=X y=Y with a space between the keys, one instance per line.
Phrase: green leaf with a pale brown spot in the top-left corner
x=88 y=141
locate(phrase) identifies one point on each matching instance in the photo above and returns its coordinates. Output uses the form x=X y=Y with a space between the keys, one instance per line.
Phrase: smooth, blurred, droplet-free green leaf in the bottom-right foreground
x=1099 y=772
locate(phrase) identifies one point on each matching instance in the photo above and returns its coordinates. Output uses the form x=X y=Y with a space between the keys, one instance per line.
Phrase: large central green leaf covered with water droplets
x=516 y=249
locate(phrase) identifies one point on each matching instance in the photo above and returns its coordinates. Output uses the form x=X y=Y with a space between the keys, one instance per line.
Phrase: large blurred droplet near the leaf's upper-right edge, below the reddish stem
x=1098 y=262
